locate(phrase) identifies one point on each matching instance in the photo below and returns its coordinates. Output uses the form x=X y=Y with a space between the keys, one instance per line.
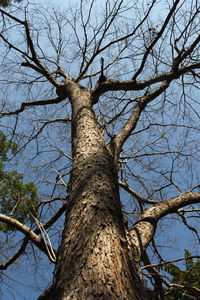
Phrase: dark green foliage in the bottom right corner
x=188 y=279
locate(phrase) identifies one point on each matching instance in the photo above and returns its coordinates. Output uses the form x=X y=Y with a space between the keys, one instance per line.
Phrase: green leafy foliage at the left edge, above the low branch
x=17 y=199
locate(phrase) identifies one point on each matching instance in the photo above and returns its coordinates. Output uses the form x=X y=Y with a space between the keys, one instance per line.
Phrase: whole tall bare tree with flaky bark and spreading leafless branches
x=125 y=80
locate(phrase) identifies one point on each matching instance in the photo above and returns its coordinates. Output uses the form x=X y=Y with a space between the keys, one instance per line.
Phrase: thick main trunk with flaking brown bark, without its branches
x=94 y=261
